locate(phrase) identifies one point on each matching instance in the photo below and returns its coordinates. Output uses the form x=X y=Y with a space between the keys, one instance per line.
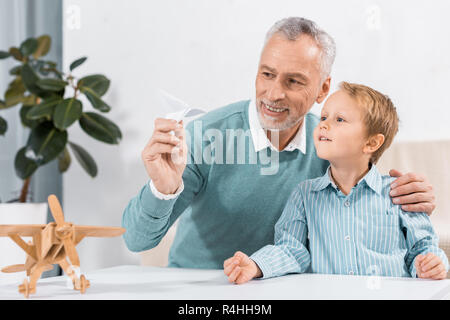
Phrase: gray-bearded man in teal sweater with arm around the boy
x=227 y=206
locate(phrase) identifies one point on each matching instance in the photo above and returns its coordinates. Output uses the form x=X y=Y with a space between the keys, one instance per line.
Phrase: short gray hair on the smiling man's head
x=292 y=28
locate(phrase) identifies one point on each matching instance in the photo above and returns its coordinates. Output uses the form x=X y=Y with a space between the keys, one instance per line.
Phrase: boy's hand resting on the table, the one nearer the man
x=240 y=268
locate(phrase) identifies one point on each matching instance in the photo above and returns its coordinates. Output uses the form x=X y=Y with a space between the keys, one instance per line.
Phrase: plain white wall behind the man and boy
x=206 y=53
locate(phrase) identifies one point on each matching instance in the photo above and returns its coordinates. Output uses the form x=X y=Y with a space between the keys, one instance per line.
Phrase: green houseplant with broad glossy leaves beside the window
x=49 y=105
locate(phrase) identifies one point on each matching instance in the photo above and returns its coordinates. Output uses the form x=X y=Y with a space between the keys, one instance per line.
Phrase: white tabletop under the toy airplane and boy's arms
x=138 y=282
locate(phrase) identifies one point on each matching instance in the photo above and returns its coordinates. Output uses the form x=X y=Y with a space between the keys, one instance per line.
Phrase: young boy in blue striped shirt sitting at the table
x=345 y=221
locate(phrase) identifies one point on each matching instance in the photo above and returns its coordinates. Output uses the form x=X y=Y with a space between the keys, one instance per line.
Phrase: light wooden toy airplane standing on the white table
x=51 y=244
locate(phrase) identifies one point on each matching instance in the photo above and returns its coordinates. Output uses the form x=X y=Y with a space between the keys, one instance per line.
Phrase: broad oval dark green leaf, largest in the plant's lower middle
x=45 y=143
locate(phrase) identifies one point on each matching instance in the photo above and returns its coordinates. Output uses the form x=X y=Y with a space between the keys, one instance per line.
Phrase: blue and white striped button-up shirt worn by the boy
x=322 y=230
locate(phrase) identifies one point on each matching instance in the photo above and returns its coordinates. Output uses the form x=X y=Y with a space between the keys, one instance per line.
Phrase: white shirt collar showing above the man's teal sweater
x=259 y=136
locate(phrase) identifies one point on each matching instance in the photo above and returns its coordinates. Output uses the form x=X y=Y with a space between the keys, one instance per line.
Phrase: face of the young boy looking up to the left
x=341 y=134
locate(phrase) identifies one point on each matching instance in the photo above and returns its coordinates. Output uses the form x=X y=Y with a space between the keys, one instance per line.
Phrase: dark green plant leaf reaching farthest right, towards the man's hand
x=100 y=128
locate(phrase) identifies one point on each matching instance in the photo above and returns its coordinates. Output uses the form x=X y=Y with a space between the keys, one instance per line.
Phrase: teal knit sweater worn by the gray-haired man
x=232 y=195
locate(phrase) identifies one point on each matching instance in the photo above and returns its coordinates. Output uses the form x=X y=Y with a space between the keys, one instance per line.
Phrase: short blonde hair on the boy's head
x=380 y=115
